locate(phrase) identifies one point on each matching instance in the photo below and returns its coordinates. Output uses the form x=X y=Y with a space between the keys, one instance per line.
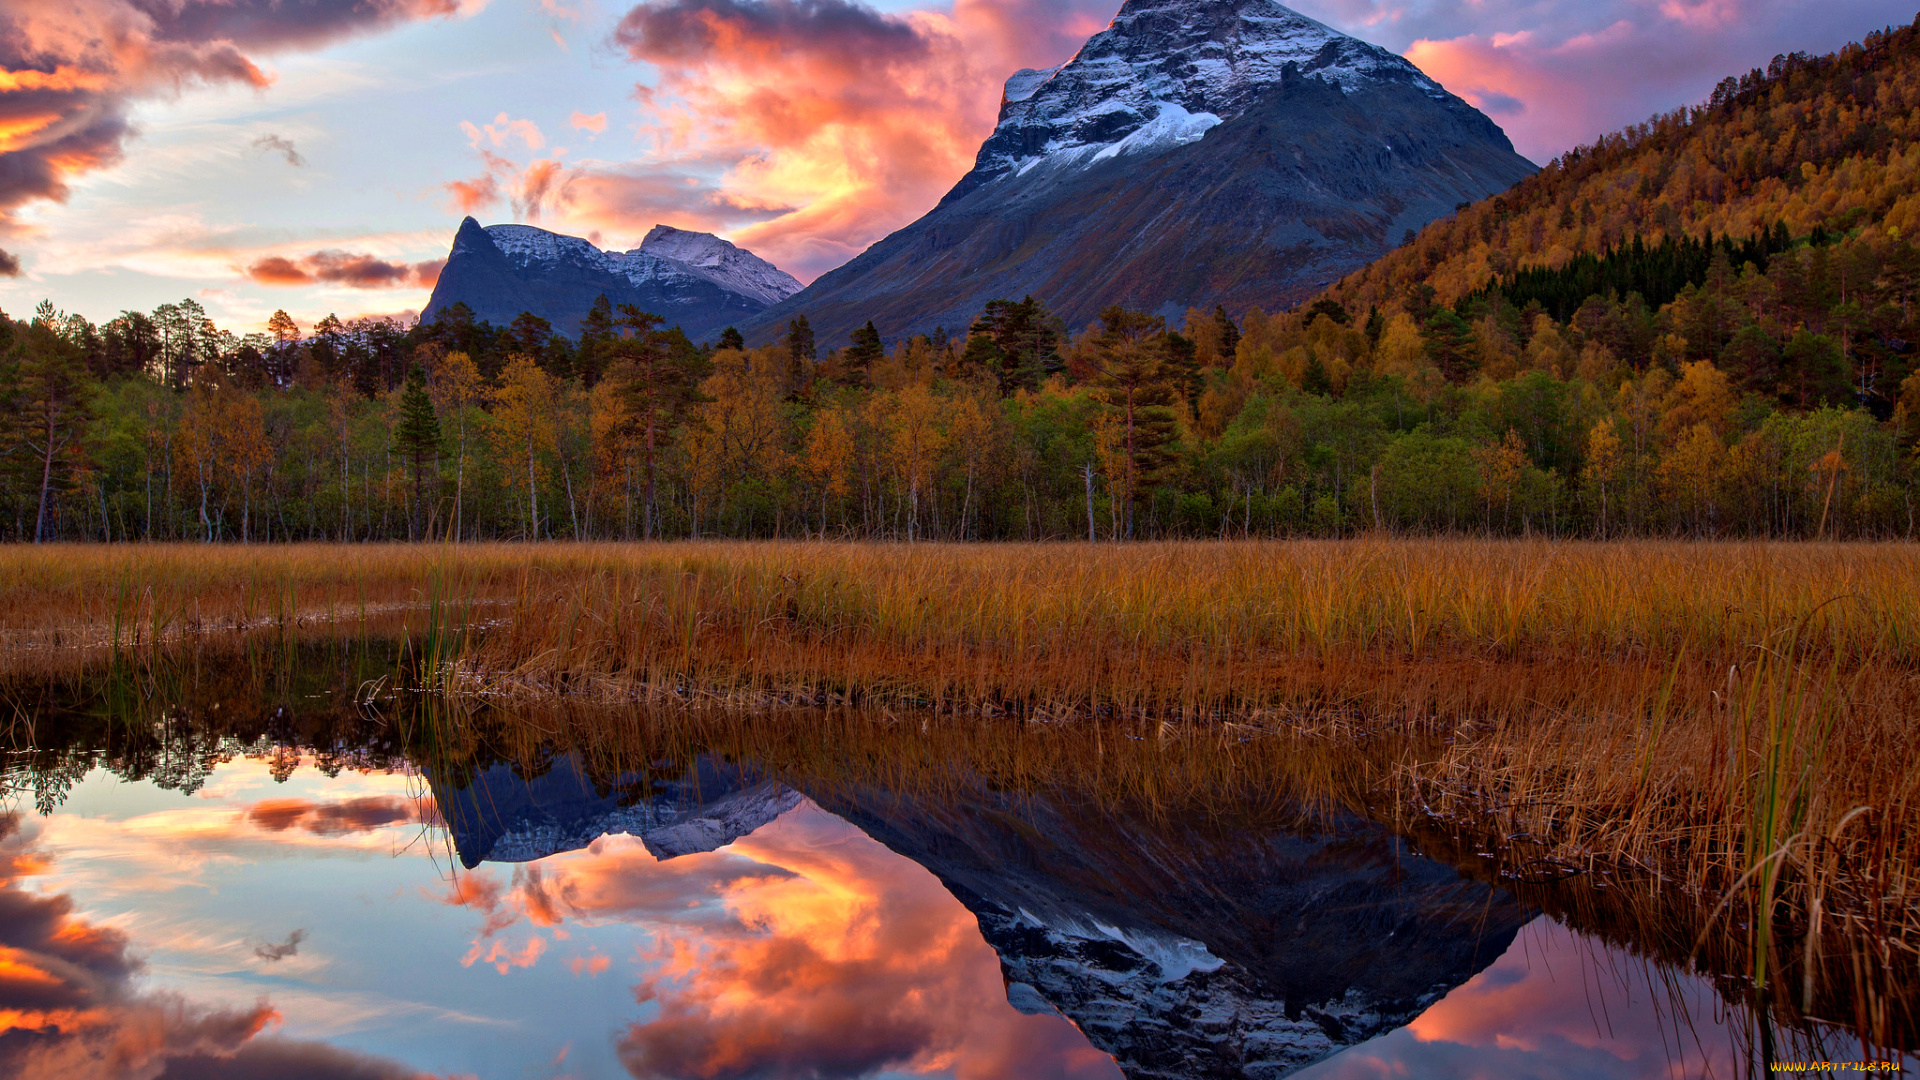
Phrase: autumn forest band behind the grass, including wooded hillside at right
x=1702 y=326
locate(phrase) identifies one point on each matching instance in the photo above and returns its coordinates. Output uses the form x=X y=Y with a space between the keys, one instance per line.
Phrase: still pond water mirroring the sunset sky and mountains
x=293 y=887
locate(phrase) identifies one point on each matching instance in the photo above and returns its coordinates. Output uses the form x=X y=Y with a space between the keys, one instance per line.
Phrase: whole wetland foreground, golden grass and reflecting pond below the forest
x=802 y=810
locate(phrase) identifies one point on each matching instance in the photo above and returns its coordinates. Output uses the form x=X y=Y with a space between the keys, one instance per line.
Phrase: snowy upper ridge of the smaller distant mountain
x=663 y=257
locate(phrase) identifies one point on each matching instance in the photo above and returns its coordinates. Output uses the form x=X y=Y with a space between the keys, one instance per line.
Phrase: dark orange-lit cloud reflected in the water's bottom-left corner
x=76 y=1014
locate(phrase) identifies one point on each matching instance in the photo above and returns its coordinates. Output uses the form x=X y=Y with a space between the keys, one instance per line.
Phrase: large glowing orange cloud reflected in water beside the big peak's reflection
x=802 y=950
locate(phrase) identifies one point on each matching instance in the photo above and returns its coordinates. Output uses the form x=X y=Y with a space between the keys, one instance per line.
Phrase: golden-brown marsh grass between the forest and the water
x=1735 y=720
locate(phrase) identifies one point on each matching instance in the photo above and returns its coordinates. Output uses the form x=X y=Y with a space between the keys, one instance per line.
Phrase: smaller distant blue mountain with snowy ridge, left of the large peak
x=692 y=280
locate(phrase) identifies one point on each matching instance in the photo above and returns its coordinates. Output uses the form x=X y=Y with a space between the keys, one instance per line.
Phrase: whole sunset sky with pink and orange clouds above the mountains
x=316 y=157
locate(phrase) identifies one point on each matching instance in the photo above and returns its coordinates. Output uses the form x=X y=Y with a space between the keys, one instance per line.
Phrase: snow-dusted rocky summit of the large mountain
x=1166 y=72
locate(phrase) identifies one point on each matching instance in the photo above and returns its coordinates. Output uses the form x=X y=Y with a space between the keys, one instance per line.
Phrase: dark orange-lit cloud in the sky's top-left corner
x=72 y=70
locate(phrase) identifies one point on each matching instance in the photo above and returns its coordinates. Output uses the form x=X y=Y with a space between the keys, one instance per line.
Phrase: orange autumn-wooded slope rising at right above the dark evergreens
x=1815 y=149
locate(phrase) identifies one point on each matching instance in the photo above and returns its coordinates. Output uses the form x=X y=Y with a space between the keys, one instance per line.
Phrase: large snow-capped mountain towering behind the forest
x=1193 y=153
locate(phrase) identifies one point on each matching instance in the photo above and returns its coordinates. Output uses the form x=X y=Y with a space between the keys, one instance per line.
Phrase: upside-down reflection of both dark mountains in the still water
x=1205 y=946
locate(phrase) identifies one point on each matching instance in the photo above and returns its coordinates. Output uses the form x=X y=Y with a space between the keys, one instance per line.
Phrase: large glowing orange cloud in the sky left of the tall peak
x=767 y=128
